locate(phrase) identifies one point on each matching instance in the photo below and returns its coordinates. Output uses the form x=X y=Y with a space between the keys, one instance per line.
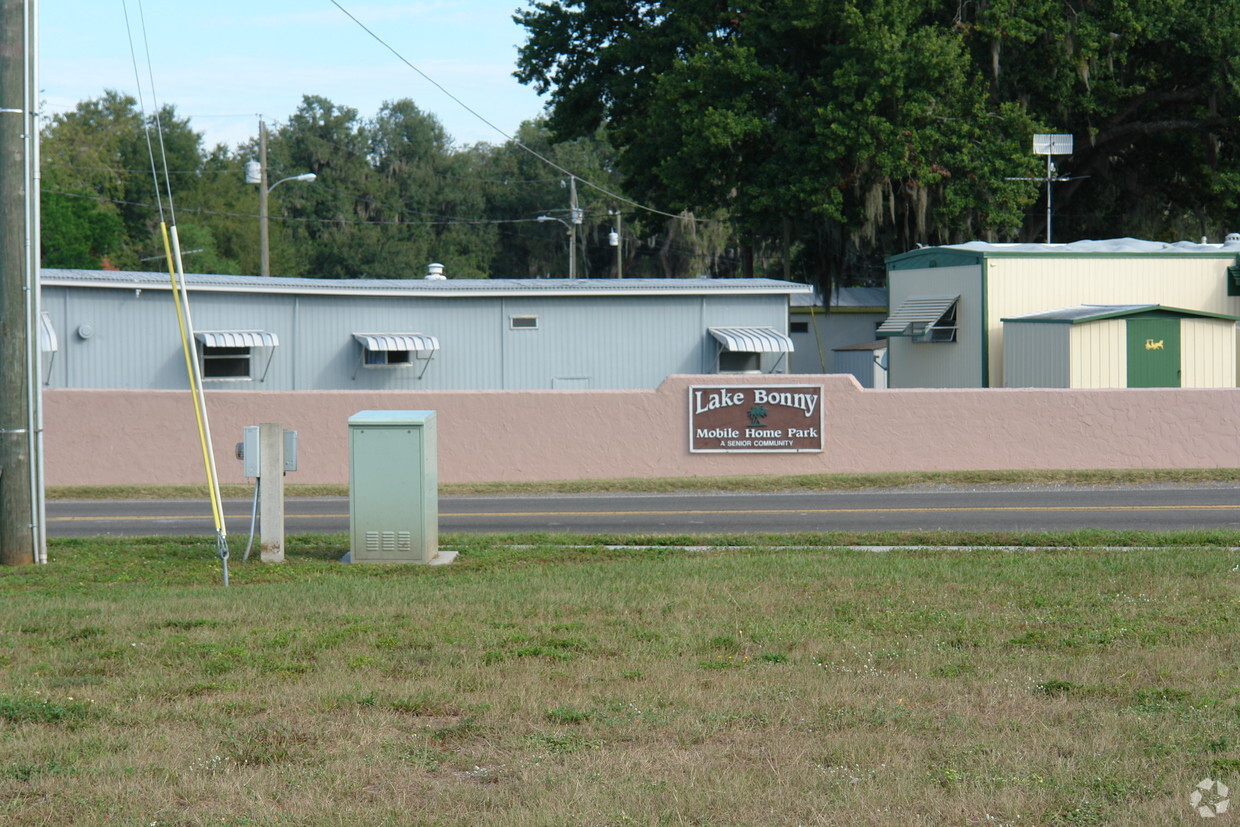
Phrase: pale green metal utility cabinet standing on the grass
x=394 y=487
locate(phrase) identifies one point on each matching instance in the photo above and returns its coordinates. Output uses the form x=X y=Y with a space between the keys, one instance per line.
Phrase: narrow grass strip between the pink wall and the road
x=663 y=485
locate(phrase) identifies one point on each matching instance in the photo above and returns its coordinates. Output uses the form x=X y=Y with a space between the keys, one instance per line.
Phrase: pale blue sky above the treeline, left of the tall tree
x=224 y=64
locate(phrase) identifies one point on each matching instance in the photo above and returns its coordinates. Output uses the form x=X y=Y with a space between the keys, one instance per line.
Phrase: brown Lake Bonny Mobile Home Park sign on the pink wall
x=779 y=418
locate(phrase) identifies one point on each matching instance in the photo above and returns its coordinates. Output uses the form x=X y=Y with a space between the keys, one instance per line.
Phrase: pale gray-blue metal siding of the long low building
x=607 y=342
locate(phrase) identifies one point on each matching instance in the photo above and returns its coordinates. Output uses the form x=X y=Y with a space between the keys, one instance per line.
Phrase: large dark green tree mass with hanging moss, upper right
x=843 y=132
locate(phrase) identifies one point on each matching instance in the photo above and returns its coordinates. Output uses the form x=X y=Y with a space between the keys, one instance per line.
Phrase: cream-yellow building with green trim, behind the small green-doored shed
x=945 y=328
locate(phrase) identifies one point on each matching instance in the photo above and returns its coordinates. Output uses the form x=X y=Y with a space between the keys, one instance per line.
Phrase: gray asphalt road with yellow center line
x=950 y=509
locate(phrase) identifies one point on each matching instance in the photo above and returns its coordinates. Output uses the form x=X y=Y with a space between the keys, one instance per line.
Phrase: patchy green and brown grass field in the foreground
x=564 y=681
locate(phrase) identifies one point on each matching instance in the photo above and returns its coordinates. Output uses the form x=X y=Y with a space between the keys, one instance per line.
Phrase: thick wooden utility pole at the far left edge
x=17 y=282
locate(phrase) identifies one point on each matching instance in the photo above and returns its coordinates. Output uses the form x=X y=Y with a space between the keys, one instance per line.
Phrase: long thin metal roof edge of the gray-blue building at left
x=428 y=288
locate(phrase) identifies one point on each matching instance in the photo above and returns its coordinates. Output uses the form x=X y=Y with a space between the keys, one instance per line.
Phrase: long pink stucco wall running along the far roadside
x=148 y=437
